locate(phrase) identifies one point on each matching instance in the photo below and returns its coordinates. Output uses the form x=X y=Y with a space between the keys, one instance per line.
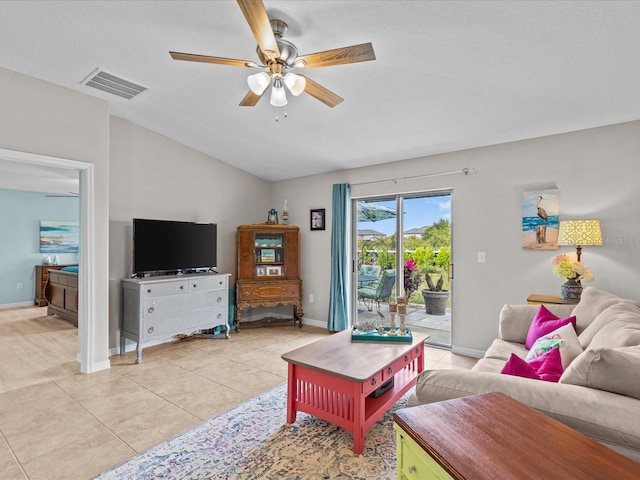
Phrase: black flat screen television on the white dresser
x=164 y=246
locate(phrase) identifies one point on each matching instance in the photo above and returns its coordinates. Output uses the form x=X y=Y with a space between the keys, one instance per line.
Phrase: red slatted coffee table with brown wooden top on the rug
x=333 y=379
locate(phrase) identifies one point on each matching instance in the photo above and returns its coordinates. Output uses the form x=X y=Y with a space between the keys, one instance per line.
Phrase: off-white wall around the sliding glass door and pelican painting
x=595 y=171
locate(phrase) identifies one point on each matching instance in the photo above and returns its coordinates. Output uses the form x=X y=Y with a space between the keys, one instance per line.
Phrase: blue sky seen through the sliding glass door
x=418 y=212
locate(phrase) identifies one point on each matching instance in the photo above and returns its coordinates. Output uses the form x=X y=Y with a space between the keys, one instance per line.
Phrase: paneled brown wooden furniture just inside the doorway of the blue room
x=62 y=294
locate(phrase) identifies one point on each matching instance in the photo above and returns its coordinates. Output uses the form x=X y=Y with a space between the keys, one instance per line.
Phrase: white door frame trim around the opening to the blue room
x=86 y=264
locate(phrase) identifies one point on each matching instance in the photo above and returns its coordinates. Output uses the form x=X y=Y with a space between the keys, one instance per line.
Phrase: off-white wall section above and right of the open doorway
x=42 y=118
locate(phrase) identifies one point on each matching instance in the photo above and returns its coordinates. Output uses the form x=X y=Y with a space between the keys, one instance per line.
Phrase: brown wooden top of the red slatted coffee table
x=355 y=361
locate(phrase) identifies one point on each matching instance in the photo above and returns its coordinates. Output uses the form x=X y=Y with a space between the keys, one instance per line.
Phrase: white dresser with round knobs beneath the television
x=155 y=309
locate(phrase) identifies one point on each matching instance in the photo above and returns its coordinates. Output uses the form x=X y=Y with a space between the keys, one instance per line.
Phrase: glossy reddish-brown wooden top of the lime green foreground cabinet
x=493 y=436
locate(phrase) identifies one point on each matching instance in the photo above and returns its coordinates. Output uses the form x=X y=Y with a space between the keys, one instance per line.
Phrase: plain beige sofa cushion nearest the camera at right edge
x=611 y=369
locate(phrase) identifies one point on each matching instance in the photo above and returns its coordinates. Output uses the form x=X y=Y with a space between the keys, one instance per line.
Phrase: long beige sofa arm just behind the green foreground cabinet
x=604 y=416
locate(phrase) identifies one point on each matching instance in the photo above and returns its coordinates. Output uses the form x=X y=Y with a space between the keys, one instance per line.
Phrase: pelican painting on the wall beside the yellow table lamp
x=540 y=220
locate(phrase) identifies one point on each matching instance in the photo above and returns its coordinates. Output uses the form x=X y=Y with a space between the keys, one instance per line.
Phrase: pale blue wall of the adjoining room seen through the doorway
x=20 y=215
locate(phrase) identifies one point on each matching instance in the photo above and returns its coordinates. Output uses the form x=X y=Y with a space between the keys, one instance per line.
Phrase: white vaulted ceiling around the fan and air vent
x=448 y=75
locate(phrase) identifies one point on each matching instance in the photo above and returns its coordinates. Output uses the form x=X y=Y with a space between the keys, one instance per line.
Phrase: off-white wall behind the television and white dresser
x=155 y=177
